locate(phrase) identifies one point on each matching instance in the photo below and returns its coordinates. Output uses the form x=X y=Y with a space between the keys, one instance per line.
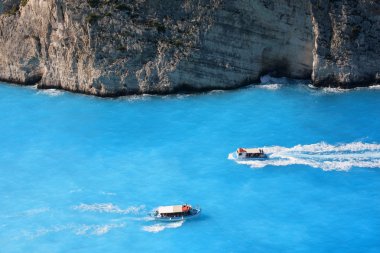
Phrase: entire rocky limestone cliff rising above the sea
x=116 y=47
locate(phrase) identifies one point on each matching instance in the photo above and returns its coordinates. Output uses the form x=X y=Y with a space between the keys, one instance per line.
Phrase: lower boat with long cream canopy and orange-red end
x=175 y=213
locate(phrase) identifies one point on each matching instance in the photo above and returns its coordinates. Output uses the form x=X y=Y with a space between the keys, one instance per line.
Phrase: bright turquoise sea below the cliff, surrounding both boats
x=80 y=173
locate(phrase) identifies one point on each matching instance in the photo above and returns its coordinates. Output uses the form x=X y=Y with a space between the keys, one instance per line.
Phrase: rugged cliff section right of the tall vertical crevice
x=347 y=43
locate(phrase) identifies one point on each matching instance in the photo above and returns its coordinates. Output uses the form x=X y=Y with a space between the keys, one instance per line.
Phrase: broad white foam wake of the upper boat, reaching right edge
x=320 y=155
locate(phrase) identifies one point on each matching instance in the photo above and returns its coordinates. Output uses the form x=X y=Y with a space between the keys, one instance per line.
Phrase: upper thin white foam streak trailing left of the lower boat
x=108 y=208
